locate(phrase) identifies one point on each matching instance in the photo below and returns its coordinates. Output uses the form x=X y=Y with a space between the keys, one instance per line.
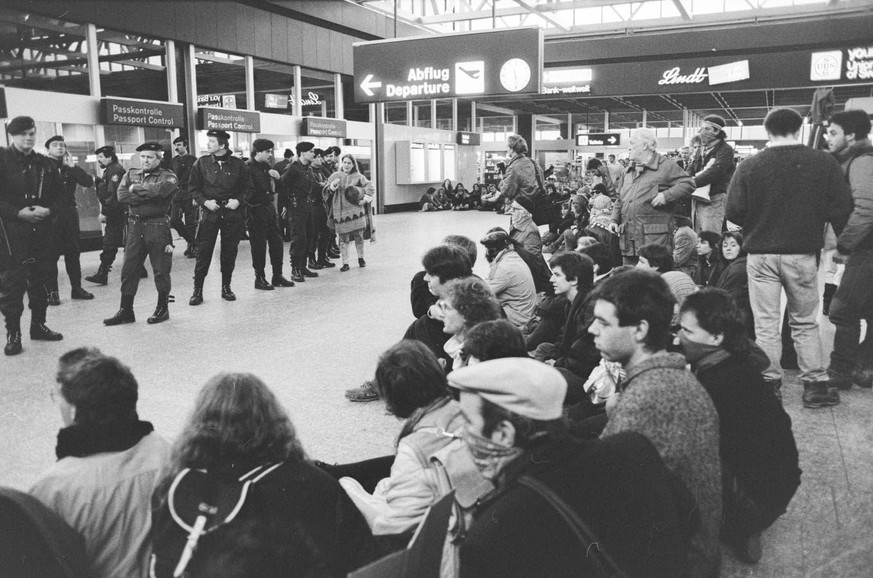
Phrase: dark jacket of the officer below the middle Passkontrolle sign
x=219 y=179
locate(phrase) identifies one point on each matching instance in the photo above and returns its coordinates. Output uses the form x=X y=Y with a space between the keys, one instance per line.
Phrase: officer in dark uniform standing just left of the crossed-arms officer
x=111 y=212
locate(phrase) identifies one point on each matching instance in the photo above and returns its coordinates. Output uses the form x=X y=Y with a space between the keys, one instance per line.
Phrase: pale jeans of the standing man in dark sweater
x=798 y=275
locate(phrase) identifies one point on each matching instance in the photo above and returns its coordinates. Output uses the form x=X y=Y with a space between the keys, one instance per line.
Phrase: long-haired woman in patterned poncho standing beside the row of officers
x=351 y=194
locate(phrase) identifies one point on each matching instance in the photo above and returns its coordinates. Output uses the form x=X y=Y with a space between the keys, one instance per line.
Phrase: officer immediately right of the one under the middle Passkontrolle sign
x=263 y=221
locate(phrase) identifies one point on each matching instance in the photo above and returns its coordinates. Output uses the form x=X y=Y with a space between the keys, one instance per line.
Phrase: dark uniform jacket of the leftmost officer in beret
x=25 y=181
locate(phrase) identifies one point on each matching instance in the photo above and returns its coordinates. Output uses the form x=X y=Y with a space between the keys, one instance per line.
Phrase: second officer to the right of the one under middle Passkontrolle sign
x=299 y=189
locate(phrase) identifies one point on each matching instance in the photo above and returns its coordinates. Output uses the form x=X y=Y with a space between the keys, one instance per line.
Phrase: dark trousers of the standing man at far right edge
x=853 y=302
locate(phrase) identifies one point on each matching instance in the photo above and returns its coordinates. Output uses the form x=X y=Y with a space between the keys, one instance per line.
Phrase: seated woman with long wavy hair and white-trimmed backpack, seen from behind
x=237 y=433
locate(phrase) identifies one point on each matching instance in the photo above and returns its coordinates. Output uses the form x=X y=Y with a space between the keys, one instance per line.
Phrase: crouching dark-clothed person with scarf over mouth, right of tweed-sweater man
x=759 y=459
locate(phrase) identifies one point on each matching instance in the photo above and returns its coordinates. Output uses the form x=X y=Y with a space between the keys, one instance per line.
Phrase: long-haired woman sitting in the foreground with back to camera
x=238 y=427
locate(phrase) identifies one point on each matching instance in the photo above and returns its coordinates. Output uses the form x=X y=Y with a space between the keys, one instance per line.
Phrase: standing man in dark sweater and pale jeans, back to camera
x=782 y=197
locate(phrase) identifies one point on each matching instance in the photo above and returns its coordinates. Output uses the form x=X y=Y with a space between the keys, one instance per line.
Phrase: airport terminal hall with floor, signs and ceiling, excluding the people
x=384 y=81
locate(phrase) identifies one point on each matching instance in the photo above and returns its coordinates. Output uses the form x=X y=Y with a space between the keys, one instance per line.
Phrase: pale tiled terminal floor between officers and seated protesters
x=313 y=341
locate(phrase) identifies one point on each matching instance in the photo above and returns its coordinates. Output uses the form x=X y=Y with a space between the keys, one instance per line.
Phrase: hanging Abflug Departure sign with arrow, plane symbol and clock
x=496 y=62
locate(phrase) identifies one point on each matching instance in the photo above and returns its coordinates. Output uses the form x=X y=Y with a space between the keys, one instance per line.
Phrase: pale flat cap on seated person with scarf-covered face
x=524 y=386
